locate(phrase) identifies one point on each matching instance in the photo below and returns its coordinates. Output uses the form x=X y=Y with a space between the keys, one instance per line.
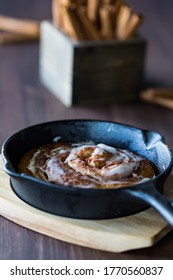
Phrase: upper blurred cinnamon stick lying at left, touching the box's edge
x=20 y=26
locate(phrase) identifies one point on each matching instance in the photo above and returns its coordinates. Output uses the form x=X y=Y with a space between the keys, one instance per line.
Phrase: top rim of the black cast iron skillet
x=10 y=170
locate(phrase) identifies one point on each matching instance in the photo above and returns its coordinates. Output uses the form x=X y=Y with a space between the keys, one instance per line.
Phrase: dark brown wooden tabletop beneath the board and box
x=24 y=101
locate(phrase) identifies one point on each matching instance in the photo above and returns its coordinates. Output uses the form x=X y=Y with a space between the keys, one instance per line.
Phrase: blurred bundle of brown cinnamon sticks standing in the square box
x=95 y=20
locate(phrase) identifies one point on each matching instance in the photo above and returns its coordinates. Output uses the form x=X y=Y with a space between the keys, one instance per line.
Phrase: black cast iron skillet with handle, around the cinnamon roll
x=91 y=203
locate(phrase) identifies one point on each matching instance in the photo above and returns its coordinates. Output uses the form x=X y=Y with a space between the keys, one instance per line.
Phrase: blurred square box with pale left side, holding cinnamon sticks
x=79 y=73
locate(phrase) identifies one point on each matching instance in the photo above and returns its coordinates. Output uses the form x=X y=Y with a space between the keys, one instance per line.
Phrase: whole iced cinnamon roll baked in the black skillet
x=86 y=165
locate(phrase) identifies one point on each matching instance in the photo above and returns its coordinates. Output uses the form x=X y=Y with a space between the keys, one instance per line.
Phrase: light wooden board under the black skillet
x=116 y=235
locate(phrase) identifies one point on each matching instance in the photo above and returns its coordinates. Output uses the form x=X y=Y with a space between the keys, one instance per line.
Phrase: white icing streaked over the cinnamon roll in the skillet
x=91 y=165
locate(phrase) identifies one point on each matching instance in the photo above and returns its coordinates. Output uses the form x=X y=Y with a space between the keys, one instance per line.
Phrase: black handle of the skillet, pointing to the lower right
x=162 y=204
